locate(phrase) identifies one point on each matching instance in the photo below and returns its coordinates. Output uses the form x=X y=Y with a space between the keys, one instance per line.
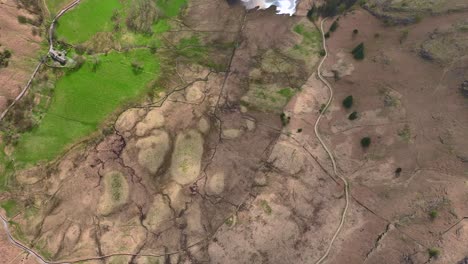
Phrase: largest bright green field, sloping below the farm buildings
x=83 y=99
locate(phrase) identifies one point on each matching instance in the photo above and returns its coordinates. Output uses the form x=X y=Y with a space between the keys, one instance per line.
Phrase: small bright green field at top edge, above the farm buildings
x=85 y=20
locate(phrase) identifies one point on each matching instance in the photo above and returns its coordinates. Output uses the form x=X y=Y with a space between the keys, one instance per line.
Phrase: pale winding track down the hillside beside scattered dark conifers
x=330 y=154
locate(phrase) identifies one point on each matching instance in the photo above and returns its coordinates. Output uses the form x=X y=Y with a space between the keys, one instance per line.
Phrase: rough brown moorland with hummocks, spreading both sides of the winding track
x=207 y=172
